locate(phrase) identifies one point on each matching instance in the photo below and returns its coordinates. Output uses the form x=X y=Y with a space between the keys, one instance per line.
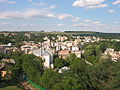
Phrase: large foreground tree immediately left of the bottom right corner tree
x=82 y=71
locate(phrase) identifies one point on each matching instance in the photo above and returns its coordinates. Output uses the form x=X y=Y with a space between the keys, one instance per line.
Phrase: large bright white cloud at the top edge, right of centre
x=90 y=3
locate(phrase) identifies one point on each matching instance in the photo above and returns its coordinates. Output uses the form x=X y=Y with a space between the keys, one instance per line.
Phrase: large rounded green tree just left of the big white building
x=32 y=66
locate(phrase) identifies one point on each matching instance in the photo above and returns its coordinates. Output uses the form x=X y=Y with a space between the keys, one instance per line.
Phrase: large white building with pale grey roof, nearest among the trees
x=46 y=55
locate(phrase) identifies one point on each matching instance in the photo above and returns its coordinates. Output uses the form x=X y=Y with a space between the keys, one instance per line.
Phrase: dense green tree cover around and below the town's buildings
x=101 y=74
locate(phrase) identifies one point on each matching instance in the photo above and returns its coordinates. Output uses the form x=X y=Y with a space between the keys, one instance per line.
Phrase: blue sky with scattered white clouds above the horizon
x=60 y=15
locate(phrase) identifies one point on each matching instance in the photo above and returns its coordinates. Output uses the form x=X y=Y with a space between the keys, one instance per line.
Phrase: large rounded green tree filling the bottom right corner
x=107 y=75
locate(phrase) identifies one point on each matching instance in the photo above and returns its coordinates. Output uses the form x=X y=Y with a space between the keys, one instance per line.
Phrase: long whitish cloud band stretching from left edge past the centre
x=35 y=13
